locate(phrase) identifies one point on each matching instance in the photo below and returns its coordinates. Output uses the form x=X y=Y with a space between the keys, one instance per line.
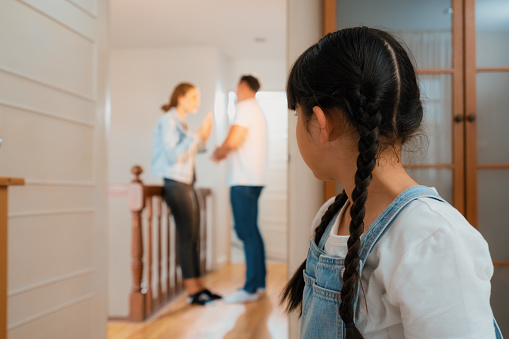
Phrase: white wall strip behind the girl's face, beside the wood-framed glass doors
x=305 y=192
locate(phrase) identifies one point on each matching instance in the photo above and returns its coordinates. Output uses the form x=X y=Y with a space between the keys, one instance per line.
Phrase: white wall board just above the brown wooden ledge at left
x=44 y=148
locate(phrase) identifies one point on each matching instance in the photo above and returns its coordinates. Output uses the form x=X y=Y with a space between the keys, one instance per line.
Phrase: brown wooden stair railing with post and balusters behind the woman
x=148 y=202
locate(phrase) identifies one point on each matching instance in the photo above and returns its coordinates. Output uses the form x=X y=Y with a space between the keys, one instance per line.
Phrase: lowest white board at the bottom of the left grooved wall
x=72 y=322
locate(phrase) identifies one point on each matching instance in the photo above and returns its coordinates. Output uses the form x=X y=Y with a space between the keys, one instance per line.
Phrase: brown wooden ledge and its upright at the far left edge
x=4 y=184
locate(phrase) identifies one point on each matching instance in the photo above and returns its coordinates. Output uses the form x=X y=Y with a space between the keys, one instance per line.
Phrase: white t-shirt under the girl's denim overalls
x=427 y=277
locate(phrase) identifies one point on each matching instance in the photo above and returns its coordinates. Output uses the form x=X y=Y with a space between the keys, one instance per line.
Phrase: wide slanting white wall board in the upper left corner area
x=45 y=50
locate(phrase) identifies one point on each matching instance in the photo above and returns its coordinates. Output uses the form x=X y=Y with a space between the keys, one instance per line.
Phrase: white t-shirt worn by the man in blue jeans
x=247 y=164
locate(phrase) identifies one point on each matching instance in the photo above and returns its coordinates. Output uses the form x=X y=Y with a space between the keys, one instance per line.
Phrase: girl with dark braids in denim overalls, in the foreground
x=389 y=258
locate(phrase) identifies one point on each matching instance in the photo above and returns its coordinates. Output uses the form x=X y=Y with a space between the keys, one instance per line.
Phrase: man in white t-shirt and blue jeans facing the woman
x=246 y=147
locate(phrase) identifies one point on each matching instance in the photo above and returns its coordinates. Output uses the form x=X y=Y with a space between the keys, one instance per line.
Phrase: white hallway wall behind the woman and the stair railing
x=141 y=81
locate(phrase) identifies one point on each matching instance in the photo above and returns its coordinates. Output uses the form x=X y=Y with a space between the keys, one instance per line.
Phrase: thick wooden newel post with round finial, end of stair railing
x=135 y=197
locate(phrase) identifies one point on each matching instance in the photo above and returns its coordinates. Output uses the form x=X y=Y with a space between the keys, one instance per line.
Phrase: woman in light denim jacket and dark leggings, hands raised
x=173 y=158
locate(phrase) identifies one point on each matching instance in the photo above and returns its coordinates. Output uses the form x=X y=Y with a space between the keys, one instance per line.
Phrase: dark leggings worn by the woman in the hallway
x=182 y=200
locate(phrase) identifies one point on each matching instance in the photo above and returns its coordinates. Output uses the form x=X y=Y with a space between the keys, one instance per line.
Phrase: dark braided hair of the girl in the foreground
x=366 y=77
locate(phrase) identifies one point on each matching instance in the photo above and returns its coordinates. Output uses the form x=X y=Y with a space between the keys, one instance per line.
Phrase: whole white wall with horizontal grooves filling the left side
x=52 y=111
